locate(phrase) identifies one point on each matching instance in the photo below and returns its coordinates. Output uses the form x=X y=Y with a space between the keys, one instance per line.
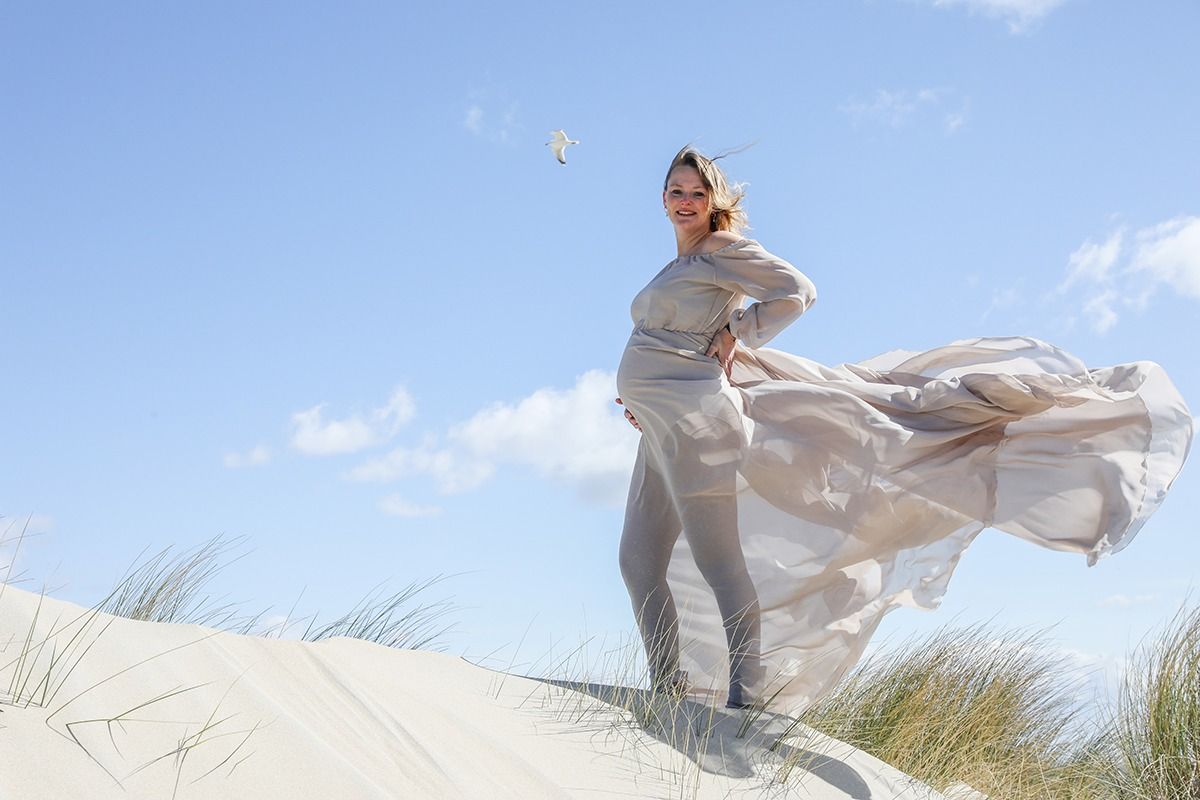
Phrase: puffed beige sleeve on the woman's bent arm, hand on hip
x=783 y=292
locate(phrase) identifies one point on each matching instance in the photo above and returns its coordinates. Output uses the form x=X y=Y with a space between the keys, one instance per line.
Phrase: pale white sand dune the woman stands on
x=155 y=711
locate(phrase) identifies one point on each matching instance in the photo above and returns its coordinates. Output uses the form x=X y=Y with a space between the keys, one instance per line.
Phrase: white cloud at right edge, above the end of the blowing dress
x=1124 y=273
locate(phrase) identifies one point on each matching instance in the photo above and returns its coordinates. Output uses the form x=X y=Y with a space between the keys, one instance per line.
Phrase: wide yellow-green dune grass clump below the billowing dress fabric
x=994 y=709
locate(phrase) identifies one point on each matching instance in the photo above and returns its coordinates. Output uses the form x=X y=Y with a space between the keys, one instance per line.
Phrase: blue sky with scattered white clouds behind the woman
x=309 y=275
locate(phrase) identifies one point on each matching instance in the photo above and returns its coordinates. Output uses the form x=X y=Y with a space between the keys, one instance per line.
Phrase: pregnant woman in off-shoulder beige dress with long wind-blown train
x=779 y=508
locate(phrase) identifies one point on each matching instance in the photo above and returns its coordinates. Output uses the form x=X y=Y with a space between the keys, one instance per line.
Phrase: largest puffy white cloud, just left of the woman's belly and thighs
x=574 y=436
